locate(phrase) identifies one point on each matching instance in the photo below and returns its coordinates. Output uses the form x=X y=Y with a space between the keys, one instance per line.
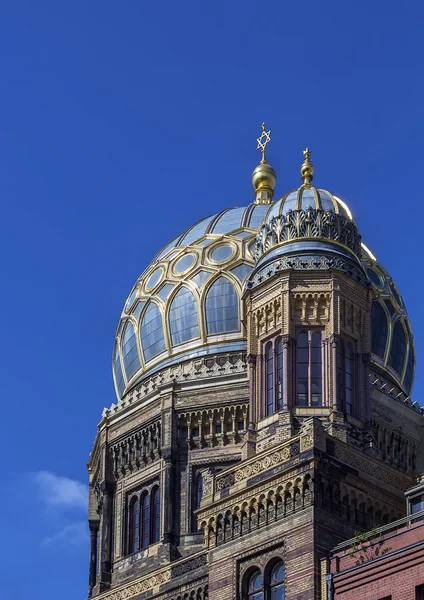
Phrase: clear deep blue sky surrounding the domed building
x=121 y=123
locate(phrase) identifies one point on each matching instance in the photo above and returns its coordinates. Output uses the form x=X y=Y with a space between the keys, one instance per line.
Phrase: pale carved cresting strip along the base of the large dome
x=215 y=366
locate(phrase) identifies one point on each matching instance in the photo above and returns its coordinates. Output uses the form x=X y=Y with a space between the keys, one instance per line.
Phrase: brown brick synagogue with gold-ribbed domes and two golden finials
x=263 y=366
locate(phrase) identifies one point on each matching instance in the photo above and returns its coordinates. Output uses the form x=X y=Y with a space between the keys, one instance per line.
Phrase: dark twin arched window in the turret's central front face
x=309 y=368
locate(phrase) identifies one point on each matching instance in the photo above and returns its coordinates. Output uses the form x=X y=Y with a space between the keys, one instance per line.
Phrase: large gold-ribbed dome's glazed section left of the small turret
x=187 y=302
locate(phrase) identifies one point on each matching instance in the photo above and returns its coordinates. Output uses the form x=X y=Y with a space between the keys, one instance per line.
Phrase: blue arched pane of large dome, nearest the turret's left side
x=222 y=307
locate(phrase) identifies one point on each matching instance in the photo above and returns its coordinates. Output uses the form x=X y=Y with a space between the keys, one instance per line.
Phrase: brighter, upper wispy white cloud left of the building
x=58 y=491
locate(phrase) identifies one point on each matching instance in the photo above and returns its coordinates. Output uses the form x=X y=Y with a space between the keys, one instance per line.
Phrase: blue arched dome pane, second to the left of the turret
x=183 y=317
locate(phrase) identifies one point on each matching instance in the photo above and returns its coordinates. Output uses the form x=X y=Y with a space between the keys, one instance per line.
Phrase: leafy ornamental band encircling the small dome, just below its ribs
x=310 y=223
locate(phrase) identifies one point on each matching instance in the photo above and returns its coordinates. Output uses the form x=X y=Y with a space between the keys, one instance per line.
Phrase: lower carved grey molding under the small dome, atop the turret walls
x=308 y=262
